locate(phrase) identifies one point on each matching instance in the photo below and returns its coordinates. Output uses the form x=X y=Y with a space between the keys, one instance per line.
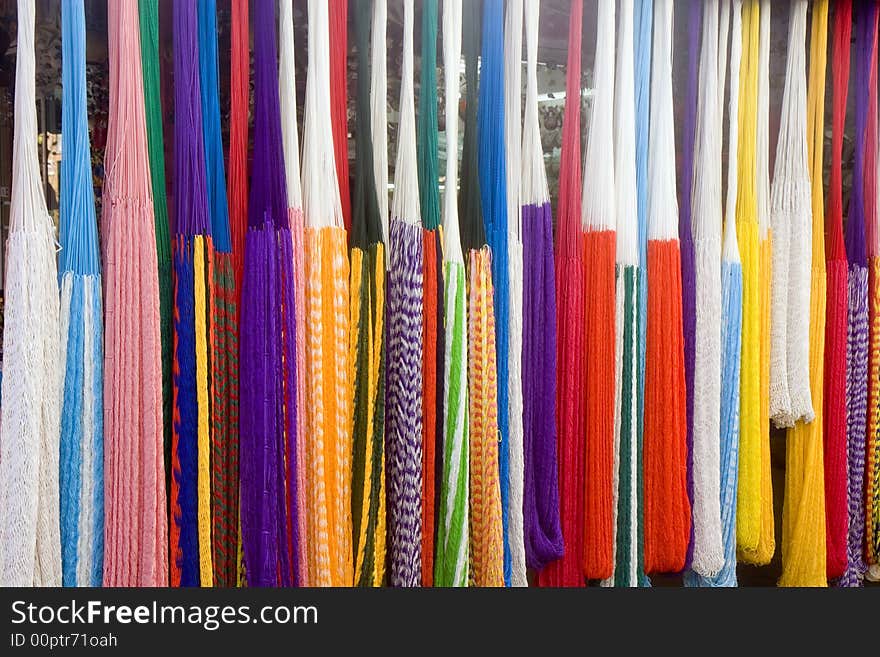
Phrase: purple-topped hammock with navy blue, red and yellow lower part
x=193 y=251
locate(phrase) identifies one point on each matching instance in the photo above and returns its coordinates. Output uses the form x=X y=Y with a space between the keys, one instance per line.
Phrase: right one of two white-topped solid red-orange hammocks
x=667 y=512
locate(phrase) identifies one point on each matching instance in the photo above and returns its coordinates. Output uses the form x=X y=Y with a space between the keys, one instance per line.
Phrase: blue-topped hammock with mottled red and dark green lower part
x=223 y=318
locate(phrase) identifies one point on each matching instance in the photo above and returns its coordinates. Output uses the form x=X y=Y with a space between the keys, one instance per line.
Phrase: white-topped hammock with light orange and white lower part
x=328 y=394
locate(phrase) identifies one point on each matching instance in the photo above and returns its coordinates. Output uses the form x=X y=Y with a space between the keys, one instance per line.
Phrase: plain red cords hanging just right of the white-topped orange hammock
x=339 y=100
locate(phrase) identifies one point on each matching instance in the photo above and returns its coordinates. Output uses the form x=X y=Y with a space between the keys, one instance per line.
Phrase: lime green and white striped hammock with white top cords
x=451 y=560
